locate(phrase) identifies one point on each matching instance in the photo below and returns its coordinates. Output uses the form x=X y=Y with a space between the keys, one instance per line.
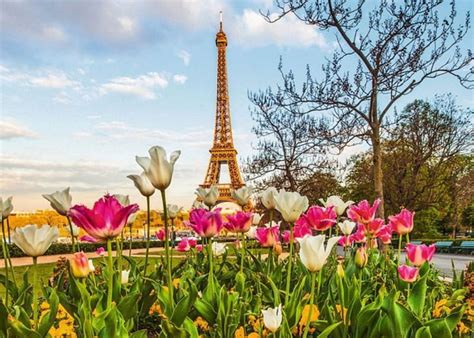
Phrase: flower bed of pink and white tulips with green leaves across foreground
x=282 y=278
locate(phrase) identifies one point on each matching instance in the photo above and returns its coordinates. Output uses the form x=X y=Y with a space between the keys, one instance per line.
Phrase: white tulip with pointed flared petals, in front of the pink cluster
x=313 y=254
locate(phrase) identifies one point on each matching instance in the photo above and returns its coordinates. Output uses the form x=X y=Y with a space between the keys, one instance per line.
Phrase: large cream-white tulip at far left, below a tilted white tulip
x=34 y=241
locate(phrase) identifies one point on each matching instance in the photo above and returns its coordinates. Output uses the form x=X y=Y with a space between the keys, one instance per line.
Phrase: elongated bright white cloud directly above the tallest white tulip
x=142 y=86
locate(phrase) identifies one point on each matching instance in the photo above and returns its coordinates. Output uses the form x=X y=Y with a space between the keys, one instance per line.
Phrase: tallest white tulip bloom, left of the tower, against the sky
x=158 y=168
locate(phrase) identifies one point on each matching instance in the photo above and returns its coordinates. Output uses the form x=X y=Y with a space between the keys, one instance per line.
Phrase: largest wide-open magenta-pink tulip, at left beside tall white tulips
x=106 y=219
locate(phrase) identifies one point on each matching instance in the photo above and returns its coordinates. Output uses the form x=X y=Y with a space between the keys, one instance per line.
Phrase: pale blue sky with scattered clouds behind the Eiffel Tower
x=88 y=85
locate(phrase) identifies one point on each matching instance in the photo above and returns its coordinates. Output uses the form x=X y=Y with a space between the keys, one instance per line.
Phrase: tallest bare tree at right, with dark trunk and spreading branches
x=383 y=53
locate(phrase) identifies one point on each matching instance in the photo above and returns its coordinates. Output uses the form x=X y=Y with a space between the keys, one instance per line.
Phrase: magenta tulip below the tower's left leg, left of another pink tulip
x=205 y=223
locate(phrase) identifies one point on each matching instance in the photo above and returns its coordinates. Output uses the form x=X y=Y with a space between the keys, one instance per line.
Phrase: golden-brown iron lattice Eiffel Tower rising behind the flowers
x=223 y=152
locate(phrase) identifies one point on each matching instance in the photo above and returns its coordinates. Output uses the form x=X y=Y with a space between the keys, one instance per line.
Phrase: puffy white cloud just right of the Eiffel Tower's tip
x=251 y=30
